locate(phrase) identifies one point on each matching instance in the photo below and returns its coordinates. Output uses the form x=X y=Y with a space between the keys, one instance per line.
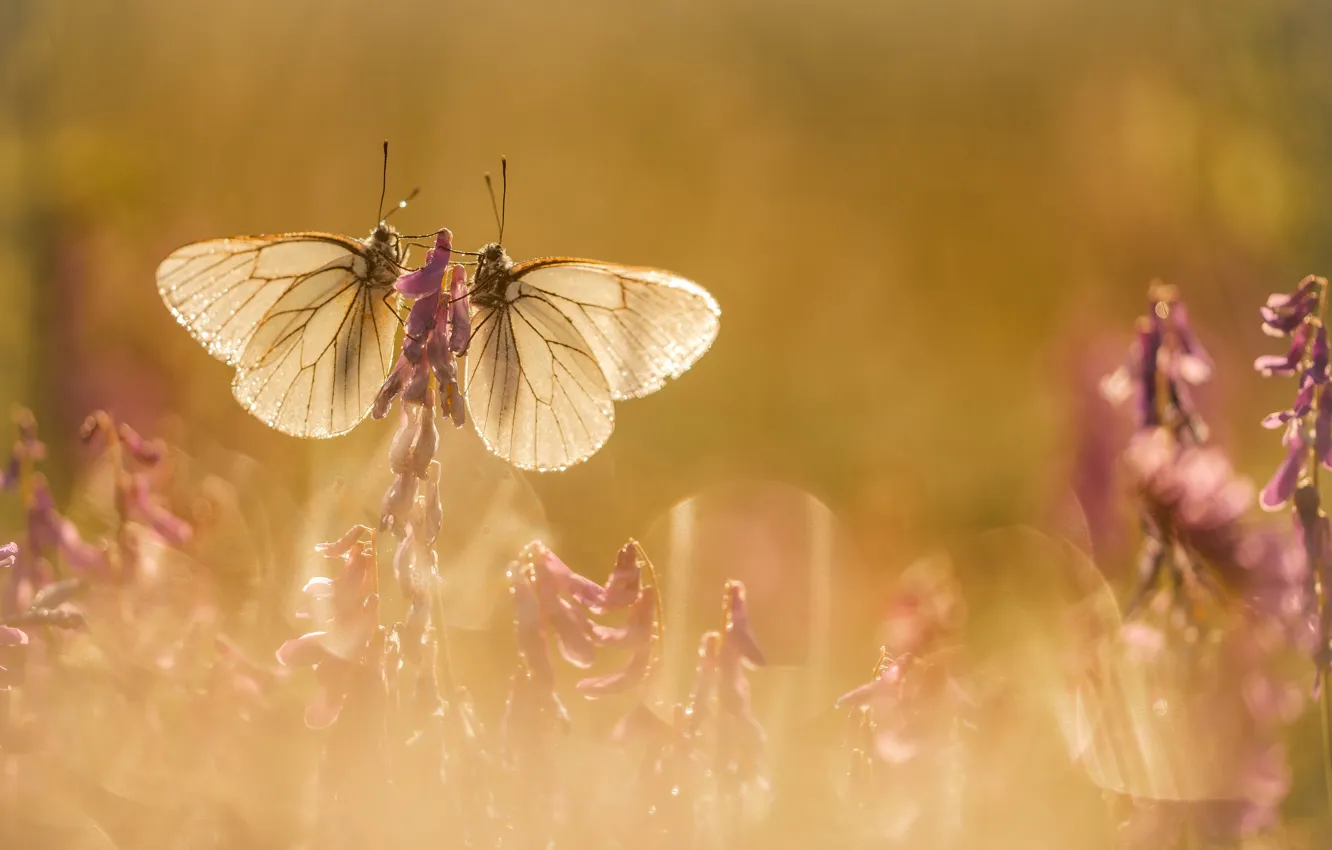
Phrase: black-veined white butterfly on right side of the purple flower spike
x=556 y=342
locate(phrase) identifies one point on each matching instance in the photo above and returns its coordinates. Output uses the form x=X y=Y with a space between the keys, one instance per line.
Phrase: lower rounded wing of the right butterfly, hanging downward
x=535 y=391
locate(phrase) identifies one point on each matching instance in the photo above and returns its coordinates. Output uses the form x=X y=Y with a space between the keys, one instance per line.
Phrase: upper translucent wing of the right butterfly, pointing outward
x=643 y=326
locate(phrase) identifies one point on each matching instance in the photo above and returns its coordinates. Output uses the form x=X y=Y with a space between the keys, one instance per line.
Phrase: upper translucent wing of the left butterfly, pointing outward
x=222 y=288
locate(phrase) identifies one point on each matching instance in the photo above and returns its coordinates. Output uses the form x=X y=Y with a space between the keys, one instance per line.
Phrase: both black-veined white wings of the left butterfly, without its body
x=312 y=340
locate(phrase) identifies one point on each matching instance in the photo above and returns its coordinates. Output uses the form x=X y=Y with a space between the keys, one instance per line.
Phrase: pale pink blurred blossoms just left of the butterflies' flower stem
x=347 y=615
